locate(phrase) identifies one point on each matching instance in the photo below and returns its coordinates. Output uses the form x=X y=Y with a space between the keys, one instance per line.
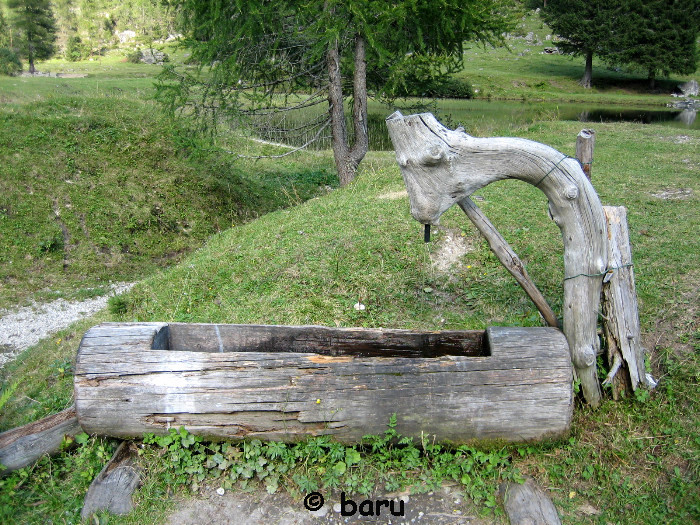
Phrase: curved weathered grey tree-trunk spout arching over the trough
x=442 y=167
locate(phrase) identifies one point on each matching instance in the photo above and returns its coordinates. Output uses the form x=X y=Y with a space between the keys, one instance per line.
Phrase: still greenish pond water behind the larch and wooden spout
x=484 y=118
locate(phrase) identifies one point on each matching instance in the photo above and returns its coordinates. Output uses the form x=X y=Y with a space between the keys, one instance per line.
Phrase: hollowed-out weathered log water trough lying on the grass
x=287 y=383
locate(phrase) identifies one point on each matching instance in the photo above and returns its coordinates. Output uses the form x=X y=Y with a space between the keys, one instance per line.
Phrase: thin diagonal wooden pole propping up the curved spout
x=500 y=247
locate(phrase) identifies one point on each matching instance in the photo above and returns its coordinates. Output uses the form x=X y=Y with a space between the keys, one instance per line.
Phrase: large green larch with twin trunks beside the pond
x=265 y=57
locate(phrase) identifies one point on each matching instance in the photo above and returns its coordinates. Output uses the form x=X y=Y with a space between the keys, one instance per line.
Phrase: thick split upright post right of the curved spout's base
x=620 y=310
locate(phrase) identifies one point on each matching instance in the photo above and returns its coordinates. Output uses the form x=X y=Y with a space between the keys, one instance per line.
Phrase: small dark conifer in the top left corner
x=35 y=27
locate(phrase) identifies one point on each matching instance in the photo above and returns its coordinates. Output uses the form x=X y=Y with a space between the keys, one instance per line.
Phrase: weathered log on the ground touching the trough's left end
x=23 y=445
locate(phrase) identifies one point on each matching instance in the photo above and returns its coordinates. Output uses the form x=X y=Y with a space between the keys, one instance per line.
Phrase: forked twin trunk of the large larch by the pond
x=347 y=159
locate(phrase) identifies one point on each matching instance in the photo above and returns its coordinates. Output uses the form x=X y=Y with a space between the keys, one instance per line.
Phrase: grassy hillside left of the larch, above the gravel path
x=98 y=186
